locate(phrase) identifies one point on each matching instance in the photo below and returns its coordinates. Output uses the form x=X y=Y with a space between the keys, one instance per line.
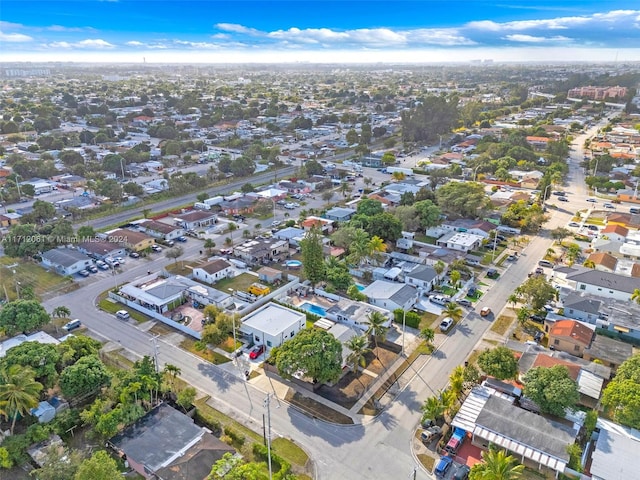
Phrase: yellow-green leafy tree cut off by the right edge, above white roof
x=622 y=395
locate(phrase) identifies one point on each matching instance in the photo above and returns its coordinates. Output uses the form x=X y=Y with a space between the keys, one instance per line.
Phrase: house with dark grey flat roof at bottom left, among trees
x=166 y=444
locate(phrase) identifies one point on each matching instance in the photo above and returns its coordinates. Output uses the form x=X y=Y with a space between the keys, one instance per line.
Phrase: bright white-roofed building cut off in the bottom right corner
x=615 y=452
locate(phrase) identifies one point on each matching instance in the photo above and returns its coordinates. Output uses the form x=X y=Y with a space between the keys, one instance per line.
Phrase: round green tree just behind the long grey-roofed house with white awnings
x=552 y=389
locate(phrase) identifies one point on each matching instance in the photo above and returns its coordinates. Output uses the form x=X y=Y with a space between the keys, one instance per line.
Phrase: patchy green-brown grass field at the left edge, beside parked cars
x=31 y=275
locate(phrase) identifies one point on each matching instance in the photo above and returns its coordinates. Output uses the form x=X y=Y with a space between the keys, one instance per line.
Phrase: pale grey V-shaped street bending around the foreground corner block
x=377 y=450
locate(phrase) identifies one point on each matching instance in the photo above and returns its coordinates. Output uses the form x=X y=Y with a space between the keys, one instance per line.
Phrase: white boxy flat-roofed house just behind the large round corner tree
x=271 y=325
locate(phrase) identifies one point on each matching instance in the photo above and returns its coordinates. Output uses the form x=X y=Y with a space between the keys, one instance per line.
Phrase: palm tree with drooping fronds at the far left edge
x=20 y=392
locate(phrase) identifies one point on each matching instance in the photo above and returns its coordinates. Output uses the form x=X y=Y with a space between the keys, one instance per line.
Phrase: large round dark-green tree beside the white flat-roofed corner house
x=314 y=352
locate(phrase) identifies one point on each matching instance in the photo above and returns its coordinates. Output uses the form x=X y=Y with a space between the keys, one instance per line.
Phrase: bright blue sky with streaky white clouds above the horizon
x=319 y=31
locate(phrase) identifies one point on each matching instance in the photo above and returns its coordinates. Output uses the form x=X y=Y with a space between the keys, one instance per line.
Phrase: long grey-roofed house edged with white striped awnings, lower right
x=493 y=418
